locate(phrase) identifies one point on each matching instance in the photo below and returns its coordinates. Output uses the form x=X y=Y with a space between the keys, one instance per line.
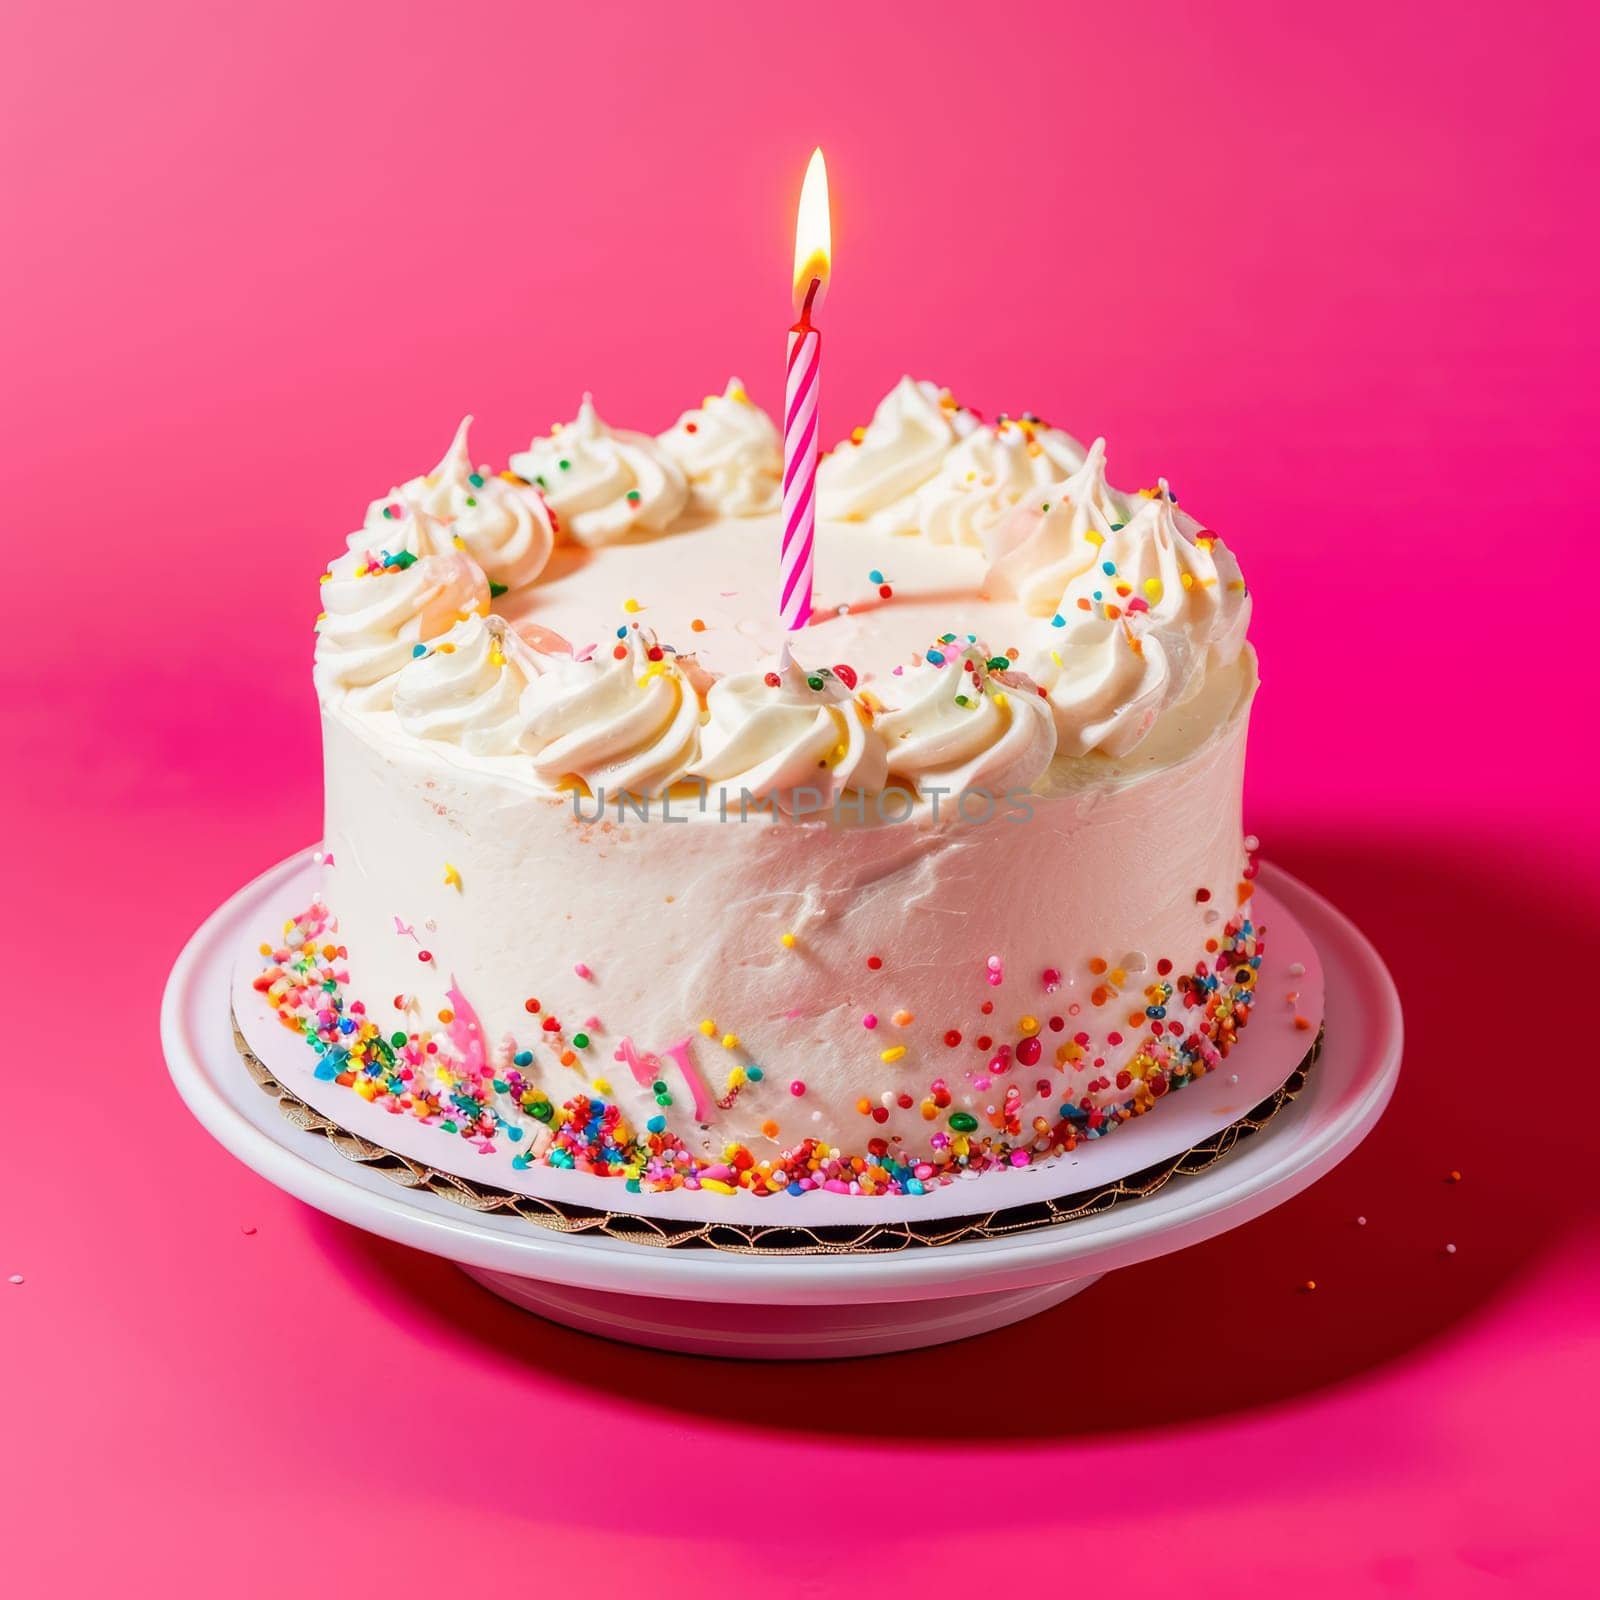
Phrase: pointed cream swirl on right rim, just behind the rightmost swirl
x=1042 y=548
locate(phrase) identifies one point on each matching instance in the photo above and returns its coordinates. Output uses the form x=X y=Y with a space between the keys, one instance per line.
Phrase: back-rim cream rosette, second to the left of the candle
x=604 y=484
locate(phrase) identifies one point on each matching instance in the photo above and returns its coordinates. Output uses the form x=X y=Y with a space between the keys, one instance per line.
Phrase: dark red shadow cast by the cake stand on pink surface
x=1230 y=1326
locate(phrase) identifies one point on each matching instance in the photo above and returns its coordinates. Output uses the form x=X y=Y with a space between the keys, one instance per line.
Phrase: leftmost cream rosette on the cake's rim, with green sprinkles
x=380 y=606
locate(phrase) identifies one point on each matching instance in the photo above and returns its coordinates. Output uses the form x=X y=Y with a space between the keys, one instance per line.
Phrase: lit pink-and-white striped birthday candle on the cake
x=814 y=246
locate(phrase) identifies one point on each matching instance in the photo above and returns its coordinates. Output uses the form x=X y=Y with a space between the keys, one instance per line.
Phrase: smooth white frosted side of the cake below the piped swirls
x=918 y=983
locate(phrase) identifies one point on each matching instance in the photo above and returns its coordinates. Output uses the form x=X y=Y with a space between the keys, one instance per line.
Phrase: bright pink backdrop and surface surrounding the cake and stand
x=1327 y=268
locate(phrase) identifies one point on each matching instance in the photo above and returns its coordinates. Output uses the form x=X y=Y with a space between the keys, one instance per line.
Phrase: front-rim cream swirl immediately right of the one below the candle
x=967 y=722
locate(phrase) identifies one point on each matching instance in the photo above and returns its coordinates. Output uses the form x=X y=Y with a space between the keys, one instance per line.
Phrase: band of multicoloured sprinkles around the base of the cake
x=1178 y=1030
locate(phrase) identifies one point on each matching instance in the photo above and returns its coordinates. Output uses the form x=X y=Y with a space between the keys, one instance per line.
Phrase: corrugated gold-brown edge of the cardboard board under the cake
x=767 y=1238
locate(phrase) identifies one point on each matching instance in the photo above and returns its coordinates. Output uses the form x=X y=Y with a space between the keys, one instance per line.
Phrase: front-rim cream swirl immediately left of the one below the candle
x=623 y=721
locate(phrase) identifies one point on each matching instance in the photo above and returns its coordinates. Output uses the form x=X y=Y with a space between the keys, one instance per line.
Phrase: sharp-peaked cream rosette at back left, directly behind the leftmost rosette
x=502 y=524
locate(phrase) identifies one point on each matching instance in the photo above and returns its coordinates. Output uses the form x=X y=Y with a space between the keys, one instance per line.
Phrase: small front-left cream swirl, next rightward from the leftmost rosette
x=468 y=687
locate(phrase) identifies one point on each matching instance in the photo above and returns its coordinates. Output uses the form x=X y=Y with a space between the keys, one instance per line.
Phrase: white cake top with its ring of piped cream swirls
x=990 y=610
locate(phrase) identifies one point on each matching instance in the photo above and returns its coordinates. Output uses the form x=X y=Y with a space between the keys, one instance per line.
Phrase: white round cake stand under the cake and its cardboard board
x=783 y=1308
